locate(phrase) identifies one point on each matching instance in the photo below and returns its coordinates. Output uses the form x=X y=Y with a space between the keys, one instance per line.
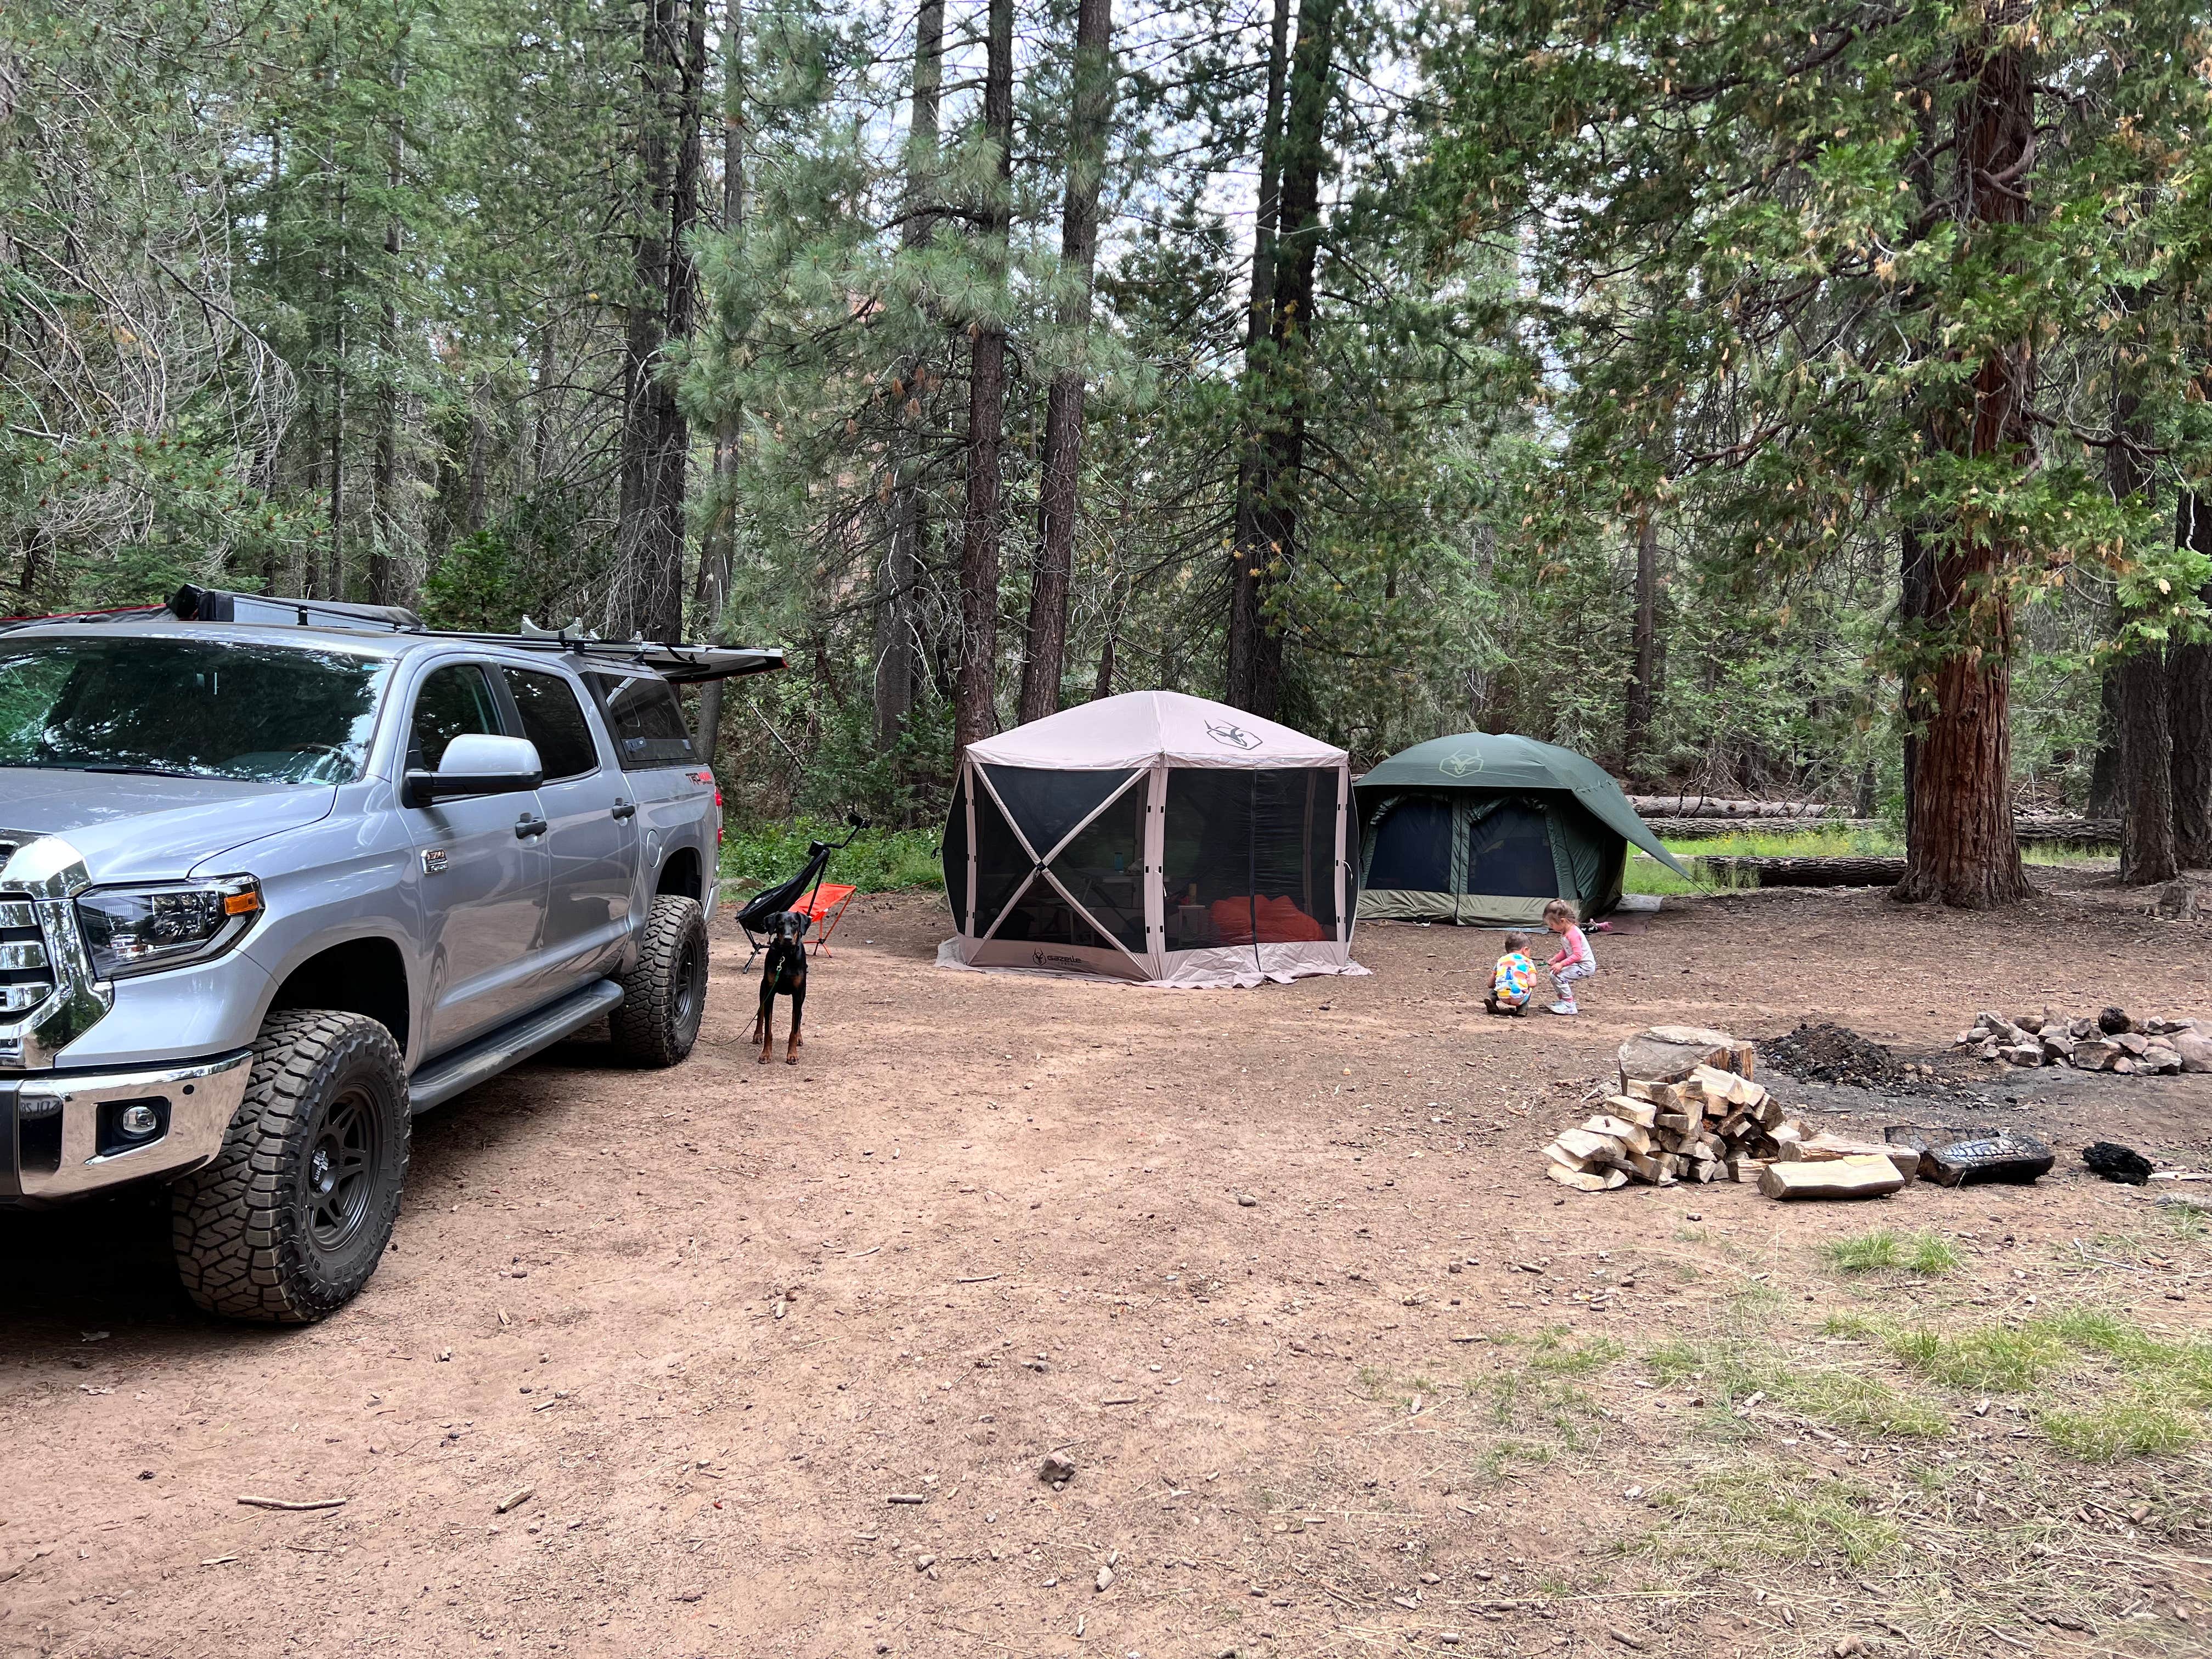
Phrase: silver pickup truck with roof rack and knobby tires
x=275 y=877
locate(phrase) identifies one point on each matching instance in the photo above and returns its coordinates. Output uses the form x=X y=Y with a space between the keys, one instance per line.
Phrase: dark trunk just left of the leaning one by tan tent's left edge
x=977 y=689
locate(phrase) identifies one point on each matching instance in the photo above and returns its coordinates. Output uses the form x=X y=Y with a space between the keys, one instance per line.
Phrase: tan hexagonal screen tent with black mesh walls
x=1151 y=837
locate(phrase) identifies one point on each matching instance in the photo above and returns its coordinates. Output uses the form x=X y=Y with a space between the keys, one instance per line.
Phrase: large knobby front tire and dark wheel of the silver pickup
x=293 y=1215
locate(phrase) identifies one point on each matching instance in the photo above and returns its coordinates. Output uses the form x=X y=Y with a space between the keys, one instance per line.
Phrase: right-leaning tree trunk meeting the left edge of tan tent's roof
x=1065 y=404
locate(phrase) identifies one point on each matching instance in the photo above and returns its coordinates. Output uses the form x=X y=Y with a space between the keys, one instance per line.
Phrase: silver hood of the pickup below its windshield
x=152 y=828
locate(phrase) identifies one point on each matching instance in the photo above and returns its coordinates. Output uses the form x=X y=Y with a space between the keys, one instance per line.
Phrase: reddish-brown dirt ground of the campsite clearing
x=775 y=1353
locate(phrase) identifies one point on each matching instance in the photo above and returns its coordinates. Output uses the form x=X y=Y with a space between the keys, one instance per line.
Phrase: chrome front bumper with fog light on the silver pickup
x=67 y=1134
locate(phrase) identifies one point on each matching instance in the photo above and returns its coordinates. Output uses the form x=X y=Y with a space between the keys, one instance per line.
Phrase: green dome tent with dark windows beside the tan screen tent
x=1488 y=828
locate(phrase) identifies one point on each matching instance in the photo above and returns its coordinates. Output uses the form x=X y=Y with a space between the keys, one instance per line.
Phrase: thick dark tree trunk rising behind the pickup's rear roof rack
x=656 y=439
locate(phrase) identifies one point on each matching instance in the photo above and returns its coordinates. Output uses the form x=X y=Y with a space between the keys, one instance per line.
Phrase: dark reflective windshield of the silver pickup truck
x=191 y=709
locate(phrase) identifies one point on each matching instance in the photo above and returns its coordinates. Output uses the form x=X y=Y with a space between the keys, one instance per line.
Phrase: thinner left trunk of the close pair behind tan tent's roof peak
x=1249 y=536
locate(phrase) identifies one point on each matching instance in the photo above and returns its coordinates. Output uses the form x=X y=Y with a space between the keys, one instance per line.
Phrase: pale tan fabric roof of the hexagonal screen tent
x=1145 y=729
